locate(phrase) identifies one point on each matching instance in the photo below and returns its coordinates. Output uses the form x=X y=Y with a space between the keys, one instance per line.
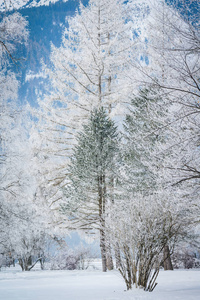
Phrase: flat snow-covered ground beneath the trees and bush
x=94 y=285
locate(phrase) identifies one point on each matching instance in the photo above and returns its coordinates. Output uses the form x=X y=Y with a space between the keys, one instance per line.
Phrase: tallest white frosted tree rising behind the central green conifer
x=90 y=69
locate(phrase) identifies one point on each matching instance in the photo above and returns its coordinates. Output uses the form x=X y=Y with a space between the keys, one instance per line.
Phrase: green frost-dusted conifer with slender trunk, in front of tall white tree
x=89 y=191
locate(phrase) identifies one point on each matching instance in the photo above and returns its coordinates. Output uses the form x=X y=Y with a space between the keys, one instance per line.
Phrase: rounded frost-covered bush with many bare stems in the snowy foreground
x=142 y=227
